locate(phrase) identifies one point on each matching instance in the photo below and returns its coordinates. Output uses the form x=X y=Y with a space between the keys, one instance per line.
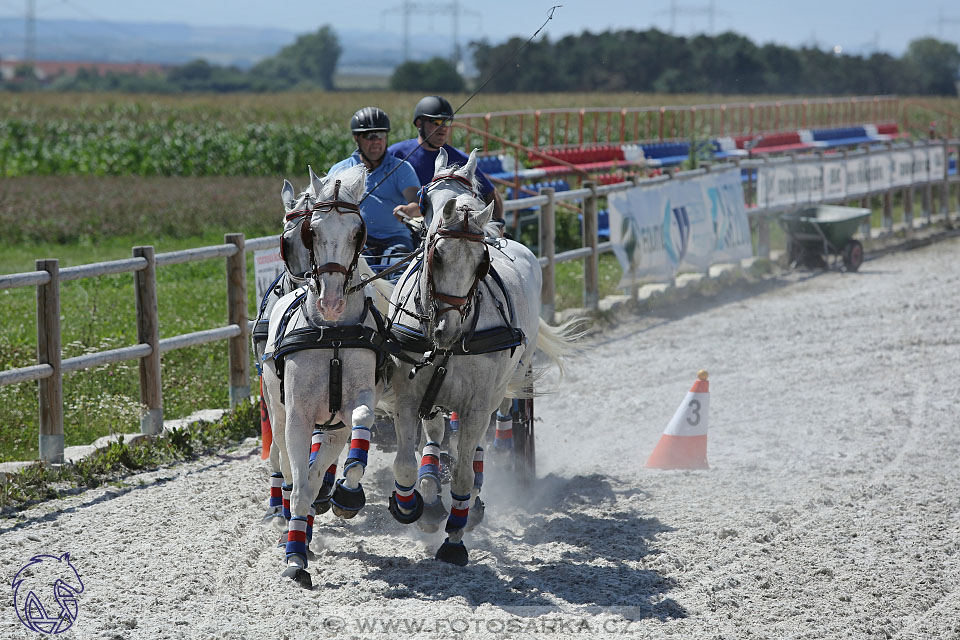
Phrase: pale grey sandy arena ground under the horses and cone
x=831 y=509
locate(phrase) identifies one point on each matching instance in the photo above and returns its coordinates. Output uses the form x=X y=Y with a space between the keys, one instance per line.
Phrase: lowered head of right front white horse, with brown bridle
x=457 y=259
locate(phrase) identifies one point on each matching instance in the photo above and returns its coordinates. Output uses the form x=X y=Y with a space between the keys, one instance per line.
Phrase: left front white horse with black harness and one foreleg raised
x=321 y=360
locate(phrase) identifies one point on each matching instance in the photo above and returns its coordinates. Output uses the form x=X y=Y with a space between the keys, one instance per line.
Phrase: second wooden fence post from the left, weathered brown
x=148 y=332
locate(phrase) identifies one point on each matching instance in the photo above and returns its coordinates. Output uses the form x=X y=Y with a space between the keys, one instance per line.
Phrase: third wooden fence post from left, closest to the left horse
x=237 y=314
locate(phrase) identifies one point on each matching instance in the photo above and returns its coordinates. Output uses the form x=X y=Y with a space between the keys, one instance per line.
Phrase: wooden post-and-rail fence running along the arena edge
x=47 y=277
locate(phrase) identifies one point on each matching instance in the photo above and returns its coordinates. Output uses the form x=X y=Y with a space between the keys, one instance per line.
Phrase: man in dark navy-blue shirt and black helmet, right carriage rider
x=432 y=118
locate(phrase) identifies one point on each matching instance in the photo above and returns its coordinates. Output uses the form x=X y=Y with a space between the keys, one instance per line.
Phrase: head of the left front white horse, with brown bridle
x=331 y=235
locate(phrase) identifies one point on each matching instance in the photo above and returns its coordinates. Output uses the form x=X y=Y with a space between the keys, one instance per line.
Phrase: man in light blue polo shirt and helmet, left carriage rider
x=391 y=184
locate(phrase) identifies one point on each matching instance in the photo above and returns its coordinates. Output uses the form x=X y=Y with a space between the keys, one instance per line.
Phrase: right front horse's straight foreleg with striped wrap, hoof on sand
x=473 y=425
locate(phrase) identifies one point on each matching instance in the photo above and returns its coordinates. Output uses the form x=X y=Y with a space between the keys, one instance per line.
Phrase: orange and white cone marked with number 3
x=683 y=444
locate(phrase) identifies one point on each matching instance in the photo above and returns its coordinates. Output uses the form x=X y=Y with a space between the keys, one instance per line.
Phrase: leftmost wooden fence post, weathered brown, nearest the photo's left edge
x=48 y=352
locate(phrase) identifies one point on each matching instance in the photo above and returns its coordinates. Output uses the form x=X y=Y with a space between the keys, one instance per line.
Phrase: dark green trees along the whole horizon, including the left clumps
x=645 y=61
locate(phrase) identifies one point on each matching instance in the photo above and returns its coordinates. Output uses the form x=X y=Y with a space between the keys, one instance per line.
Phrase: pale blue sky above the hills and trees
x=858 y=26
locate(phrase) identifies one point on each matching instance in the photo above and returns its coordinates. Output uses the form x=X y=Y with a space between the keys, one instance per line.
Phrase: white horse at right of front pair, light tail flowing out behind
x=482 y=331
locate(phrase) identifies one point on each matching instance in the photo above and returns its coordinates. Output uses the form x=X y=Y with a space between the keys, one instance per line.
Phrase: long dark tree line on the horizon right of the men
x=728 y=63
